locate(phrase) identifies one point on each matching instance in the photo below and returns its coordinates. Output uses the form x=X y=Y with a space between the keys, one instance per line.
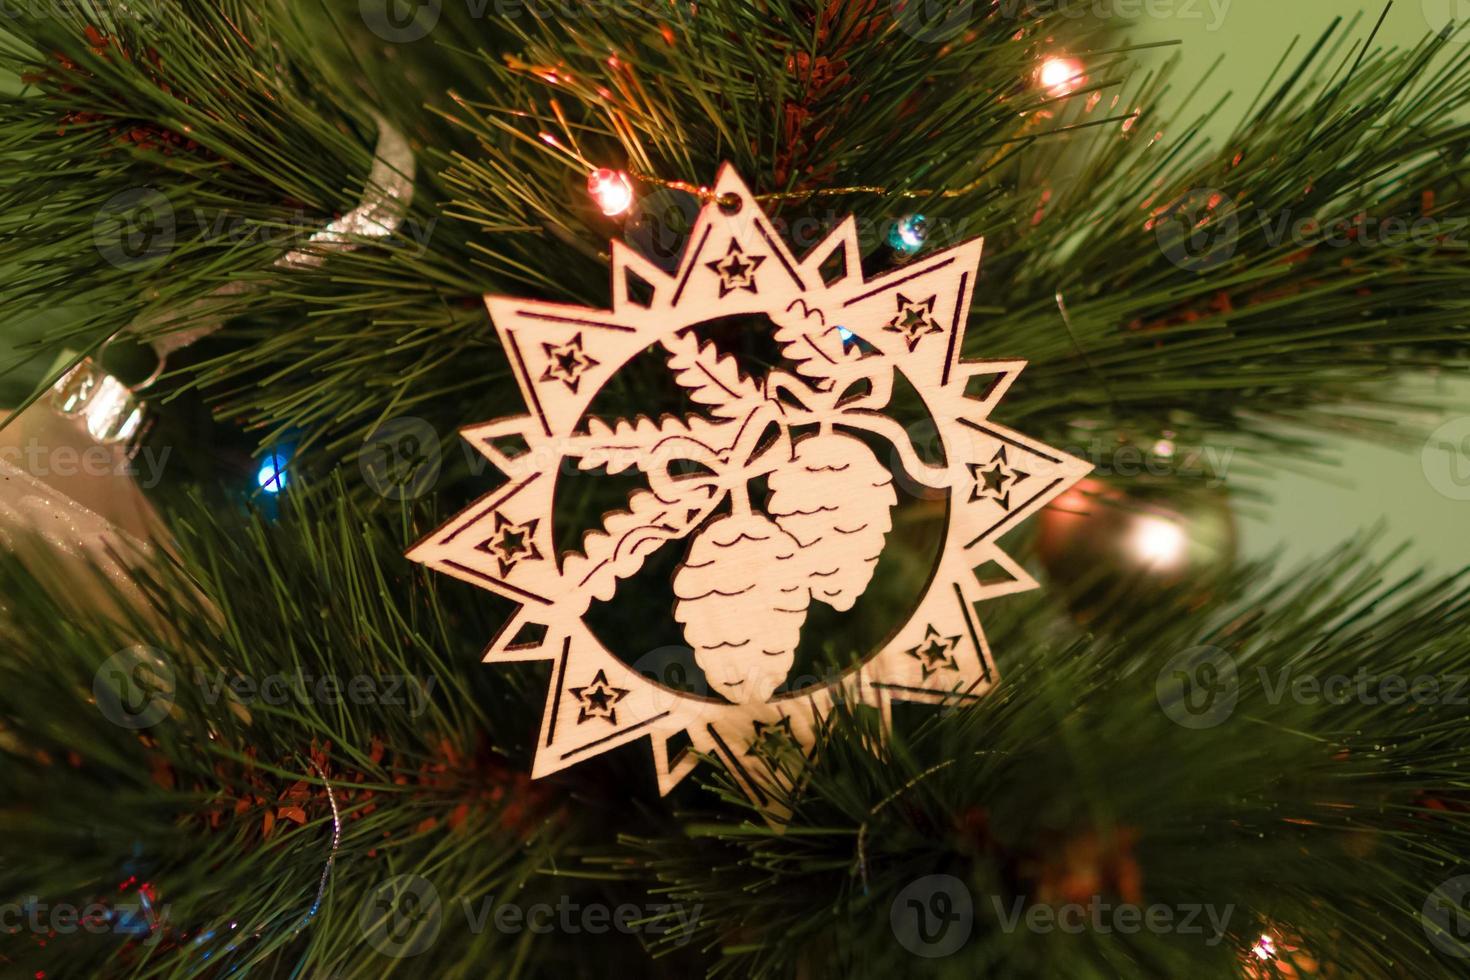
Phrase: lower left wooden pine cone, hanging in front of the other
x=743 y=599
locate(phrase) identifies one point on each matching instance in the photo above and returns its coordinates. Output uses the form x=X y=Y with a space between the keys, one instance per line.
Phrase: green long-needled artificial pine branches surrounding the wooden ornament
x=249 y=835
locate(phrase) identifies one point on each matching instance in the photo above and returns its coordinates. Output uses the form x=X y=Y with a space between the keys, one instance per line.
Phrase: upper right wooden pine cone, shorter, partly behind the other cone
x=837 y=502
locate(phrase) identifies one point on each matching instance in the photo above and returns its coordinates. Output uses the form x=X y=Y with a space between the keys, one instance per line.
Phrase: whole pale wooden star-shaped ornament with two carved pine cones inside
x=752 y=566
